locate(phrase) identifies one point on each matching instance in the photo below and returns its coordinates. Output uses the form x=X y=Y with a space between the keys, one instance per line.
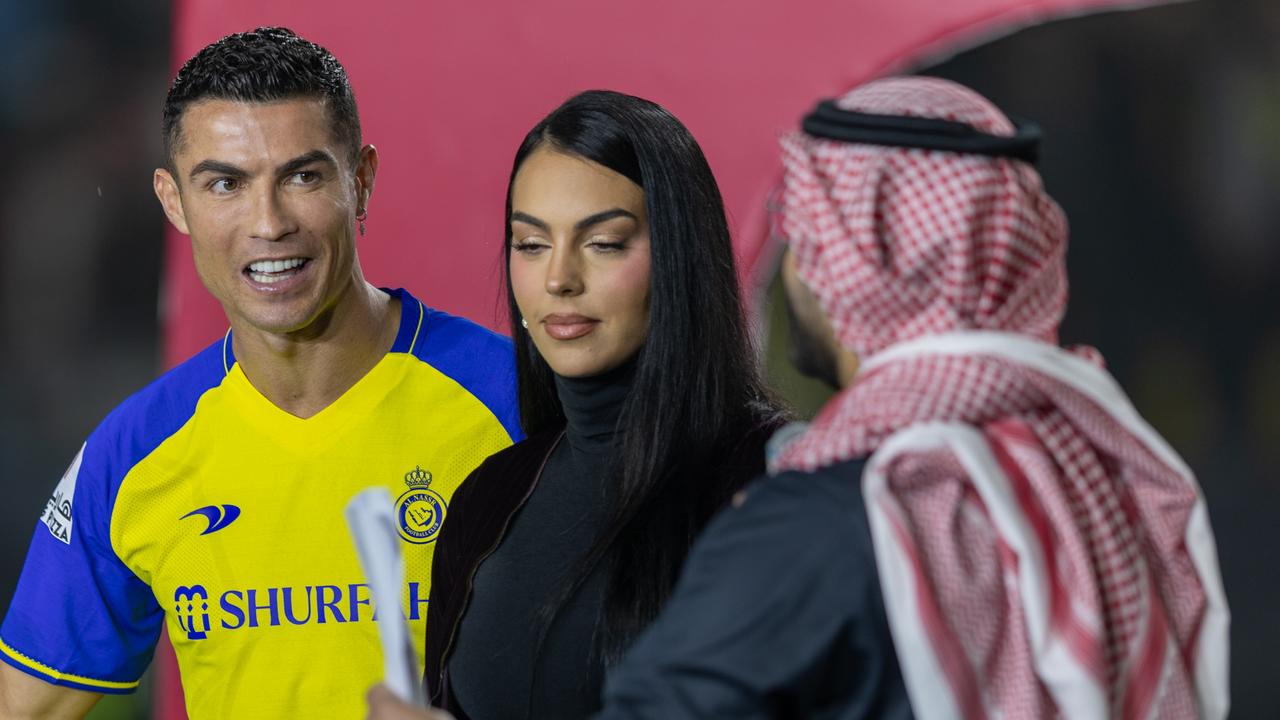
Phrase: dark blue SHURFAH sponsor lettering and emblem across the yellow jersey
x=272 y=608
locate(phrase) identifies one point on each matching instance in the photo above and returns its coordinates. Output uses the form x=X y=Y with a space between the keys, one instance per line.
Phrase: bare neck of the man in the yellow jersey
x=303 y=376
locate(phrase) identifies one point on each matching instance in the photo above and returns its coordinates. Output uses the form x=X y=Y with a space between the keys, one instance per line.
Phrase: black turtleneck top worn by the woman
x=497 y=669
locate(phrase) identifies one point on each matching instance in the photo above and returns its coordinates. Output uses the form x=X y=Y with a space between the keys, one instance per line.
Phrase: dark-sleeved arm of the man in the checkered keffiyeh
x=778 y=614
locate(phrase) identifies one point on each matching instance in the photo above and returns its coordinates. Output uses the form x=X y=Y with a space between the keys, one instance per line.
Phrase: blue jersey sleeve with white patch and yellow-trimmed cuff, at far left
x=80 y=617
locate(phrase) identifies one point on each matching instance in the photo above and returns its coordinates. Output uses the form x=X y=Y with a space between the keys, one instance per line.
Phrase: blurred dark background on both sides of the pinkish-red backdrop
x=1163 y=144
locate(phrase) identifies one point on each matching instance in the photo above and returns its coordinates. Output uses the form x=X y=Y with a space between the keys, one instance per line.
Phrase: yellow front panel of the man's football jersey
x=269 y=616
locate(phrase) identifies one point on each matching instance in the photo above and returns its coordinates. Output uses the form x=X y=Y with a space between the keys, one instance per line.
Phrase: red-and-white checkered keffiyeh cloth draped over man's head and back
x=1043 y=552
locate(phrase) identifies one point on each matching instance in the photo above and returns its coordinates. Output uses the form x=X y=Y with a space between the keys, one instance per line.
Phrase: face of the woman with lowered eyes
x=580 y=262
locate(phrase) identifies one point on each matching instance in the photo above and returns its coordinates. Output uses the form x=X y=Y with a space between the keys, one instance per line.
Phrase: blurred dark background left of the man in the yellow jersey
x=81 y=92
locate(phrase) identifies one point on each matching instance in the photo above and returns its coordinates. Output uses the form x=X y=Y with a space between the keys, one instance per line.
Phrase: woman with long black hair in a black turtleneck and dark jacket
x=641 y=399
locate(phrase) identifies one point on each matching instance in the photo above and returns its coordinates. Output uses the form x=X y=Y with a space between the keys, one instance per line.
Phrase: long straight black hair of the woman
x=697 y=390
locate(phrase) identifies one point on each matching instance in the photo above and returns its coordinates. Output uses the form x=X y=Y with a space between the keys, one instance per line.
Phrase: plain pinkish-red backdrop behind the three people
x=447 y=92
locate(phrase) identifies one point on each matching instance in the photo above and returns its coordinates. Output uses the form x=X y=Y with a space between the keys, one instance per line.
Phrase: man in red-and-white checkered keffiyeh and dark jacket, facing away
x=1040 y=550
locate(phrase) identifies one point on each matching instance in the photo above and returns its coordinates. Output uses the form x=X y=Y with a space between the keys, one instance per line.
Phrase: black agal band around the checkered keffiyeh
x=831 y=122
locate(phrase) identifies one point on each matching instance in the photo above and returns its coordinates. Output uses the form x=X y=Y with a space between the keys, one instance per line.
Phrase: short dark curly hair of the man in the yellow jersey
x=263 y=66
